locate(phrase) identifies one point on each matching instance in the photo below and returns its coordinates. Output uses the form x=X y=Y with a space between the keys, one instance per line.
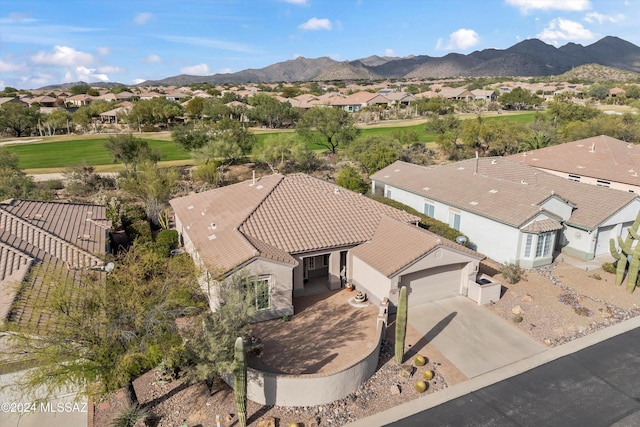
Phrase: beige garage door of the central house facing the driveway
x=433 y=284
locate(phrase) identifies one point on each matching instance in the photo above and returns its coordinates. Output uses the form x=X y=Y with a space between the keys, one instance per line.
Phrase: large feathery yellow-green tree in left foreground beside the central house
x=106 y=329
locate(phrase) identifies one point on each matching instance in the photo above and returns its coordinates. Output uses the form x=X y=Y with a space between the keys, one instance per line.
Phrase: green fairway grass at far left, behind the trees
x=63 y=154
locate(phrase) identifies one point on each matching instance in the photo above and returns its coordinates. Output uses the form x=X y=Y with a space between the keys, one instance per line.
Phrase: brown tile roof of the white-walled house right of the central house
x=504 y=190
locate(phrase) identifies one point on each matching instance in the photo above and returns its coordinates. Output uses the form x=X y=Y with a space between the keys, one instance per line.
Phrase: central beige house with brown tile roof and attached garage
x=297 y=234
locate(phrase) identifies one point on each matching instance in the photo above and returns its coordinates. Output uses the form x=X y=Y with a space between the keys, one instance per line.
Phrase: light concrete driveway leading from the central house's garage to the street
x=475 y=340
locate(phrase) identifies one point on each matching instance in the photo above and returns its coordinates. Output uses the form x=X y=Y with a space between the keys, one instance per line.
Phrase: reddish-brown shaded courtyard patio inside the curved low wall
x=325 y=335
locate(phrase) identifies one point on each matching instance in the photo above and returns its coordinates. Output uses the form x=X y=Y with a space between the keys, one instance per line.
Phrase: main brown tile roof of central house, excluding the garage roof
x=275 y=217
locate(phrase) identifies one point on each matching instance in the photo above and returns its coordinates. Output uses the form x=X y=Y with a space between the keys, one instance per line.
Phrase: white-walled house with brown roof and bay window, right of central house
x=511 y=212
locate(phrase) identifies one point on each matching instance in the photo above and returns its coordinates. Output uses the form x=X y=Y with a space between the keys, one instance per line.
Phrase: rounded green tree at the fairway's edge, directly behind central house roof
x=327 y=127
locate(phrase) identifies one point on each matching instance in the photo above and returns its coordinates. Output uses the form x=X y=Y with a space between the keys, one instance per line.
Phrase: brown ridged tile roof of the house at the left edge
x=37 y=237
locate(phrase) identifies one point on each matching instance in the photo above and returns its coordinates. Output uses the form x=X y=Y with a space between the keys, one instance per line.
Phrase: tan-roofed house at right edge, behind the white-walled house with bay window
x=601 y=160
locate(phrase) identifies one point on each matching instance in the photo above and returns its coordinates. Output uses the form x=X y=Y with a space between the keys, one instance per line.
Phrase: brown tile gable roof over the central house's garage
x=395 y=245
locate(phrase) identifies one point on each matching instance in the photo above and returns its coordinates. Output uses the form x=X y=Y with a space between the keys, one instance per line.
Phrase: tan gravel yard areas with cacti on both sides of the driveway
x=559 y=303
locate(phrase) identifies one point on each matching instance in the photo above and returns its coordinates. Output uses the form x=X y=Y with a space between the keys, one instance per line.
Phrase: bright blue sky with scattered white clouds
x=128 y=41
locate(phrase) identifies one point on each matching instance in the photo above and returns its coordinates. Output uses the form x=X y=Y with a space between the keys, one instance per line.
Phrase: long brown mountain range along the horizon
x=530 y=57
